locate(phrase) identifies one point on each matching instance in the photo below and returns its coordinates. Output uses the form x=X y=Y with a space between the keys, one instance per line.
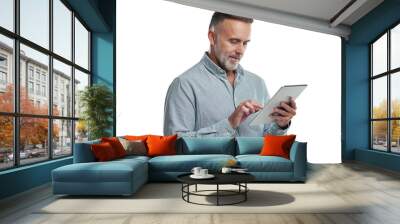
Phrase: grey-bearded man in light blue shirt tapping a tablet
x=217 y=97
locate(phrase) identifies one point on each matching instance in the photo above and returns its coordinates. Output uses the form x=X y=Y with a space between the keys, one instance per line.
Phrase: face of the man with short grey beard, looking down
x=229 y=42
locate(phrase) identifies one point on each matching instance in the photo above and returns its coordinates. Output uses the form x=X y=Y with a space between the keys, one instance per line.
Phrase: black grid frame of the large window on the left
x=15 y=72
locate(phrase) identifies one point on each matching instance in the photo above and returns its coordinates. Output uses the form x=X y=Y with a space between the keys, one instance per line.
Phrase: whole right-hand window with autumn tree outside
x=385 y=92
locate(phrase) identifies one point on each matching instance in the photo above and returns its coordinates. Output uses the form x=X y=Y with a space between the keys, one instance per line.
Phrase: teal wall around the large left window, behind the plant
x=99 y=16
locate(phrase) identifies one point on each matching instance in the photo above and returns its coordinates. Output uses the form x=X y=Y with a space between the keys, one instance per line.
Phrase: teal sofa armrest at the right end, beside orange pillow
x=298 y=155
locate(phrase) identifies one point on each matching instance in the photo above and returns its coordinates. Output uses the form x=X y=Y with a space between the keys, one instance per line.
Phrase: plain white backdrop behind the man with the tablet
x=158 y=40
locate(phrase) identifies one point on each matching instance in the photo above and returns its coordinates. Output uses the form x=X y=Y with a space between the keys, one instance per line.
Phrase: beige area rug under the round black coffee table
x=167 y=198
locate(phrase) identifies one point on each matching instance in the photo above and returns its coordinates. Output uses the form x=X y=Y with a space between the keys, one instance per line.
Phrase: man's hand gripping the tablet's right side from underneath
x=284 y=113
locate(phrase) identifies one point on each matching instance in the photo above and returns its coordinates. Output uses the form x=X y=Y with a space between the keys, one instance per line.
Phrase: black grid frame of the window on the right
x=388 y=74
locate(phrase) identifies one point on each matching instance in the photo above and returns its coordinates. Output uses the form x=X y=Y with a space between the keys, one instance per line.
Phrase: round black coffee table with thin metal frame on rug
x=238 y=179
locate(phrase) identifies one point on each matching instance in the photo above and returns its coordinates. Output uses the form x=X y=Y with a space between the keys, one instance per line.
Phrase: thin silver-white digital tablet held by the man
x=283 y=94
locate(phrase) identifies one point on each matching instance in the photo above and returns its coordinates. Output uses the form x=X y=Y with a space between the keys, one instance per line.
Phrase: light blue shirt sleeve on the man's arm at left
x=180 y=114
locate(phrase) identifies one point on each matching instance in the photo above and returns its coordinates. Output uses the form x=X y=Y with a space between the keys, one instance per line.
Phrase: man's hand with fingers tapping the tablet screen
x=245 y=109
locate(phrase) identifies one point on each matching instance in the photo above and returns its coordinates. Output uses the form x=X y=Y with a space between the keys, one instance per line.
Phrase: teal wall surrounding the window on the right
x=356 y=73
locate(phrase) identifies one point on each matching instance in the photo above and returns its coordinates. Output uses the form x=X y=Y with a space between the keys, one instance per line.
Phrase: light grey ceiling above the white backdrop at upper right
x=327 y=16
